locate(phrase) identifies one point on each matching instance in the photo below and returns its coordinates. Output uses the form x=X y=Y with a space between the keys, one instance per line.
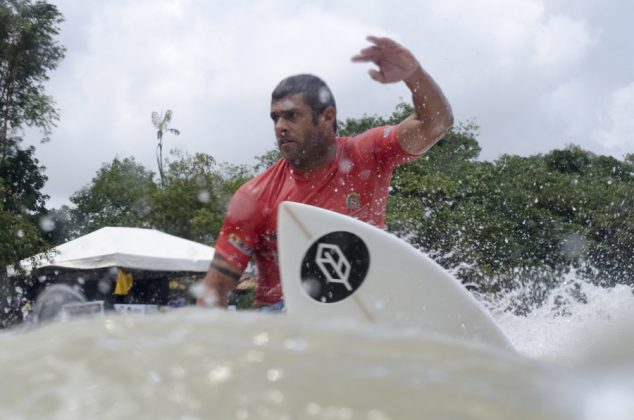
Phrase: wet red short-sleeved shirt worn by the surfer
x=356 y=183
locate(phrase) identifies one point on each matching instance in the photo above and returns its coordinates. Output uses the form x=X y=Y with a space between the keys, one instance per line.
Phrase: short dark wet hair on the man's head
x=317 y=94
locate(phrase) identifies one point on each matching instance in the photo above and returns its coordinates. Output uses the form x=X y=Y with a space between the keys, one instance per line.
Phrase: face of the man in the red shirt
x=306 y=145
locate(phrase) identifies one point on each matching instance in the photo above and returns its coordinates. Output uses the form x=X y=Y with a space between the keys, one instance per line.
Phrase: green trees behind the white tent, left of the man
x=190 y=203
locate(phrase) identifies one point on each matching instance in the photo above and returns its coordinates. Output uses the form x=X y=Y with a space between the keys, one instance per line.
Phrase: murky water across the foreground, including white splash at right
x=572 y=363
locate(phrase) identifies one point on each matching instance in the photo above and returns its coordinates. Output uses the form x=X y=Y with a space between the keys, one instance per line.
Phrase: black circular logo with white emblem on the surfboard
x=335 y=266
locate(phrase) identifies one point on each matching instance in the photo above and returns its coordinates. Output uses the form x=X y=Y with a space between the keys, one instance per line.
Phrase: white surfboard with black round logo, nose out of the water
x=335 y=266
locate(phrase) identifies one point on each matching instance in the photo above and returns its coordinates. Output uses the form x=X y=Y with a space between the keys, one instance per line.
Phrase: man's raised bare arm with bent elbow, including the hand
x=432 y=116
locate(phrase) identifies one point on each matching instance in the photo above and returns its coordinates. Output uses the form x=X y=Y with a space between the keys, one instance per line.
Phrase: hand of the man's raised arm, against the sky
x=395 y=62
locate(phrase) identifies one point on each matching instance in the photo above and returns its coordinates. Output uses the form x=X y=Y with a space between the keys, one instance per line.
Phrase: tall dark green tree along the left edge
x=29 y=50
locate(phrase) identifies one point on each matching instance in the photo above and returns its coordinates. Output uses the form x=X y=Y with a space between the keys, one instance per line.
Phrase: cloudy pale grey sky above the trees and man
x=533 y=75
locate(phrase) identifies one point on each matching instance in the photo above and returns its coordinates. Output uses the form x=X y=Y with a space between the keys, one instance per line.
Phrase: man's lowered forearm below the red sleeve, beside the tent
x=221 y=279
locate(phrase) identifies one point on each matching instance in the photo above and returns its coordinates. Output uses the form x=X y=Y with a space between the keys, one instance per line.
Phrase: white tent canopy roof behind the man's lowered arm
x=132 y=248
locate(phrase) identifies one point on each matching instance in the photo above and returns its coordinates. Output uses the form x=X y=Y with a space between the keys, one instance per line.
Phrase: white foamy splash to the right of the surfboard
x=575 y=321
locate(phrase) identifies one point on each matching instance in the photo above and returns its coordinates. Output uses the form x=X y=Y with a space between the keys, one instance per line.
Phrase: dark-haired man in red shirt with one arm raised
x=347 y=175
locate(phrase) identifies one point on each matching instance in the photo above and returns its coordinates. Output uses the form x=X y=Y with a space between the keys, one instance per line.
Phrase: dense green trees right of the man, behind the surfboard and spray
x=519 y=219
